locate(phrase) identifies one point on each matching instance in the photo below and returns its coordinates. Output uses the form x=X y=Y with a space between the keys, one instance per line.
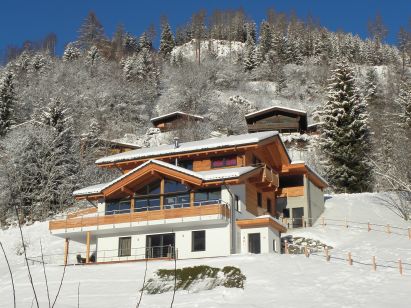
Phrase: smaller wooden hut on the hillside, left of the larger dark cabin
x=175 y=120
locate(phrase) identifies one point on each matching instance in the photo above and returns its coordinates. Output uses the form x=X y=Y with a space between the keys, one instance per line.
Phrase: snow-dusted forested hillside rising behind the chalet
x=53 y=108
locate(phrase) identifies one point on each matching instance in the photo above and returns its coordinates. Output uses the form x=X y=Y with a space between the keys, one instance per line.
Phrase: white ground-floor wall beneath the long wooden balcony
x=217 y=243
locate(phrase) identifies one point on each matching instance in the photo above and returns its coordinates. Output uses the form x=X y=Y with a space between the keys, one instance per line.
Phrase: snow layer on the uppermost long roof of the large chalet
x=206 y=144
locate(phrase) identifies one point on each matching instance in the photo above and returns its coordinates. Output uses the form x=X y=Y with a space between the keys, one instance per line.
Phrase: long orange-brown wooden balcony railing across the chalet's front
x=179 y=212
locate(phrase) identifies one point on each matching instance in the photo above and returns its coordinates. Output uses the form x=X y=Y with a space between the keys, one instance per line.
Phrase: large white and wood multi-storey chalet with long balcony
x=208 y=198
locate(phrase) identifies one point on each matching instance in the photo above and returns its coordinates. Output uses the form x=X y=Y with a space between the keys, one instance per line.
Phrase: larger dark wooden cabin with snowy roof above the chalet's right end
x=276 y=118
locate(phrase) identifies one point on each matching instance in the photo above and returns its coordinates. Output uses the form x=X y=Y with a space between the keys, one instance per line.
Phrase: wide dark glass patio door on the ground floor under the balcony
x=160 y=245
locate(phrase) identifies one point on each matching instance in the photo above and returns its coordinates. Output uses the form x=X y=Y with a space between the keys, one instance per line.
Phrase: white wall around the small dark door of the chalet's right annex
x=267 y=236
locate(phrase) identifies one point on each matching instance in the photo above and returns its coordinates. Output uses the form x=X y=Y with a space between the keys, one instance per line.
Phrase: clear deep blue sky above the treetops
x=33 y=19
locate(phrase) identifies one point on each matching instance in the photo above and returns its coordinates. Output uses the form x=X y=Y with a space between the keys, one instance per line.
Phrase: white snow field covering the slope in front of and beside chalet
x=272 y=280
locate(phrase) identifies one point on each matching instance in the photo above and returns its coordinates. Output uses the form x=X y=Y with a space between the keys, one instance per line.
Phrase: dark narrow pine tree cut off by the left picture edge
x=7 y=101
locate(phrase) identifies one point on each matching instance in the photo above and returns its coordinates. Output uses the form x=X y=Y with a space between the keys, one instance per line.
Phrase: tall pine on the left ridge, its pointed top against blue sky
x=91 y=32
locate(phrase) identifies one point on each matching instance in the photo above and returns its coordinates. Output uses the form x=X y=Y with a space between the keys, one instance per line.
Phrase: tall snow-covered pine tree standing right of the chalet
x=345 y=137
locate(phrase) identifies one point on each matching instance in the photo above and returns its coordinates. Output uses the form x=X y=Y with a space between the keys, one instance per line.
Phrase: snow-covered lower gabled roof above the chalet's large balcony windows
x=217 y=174
